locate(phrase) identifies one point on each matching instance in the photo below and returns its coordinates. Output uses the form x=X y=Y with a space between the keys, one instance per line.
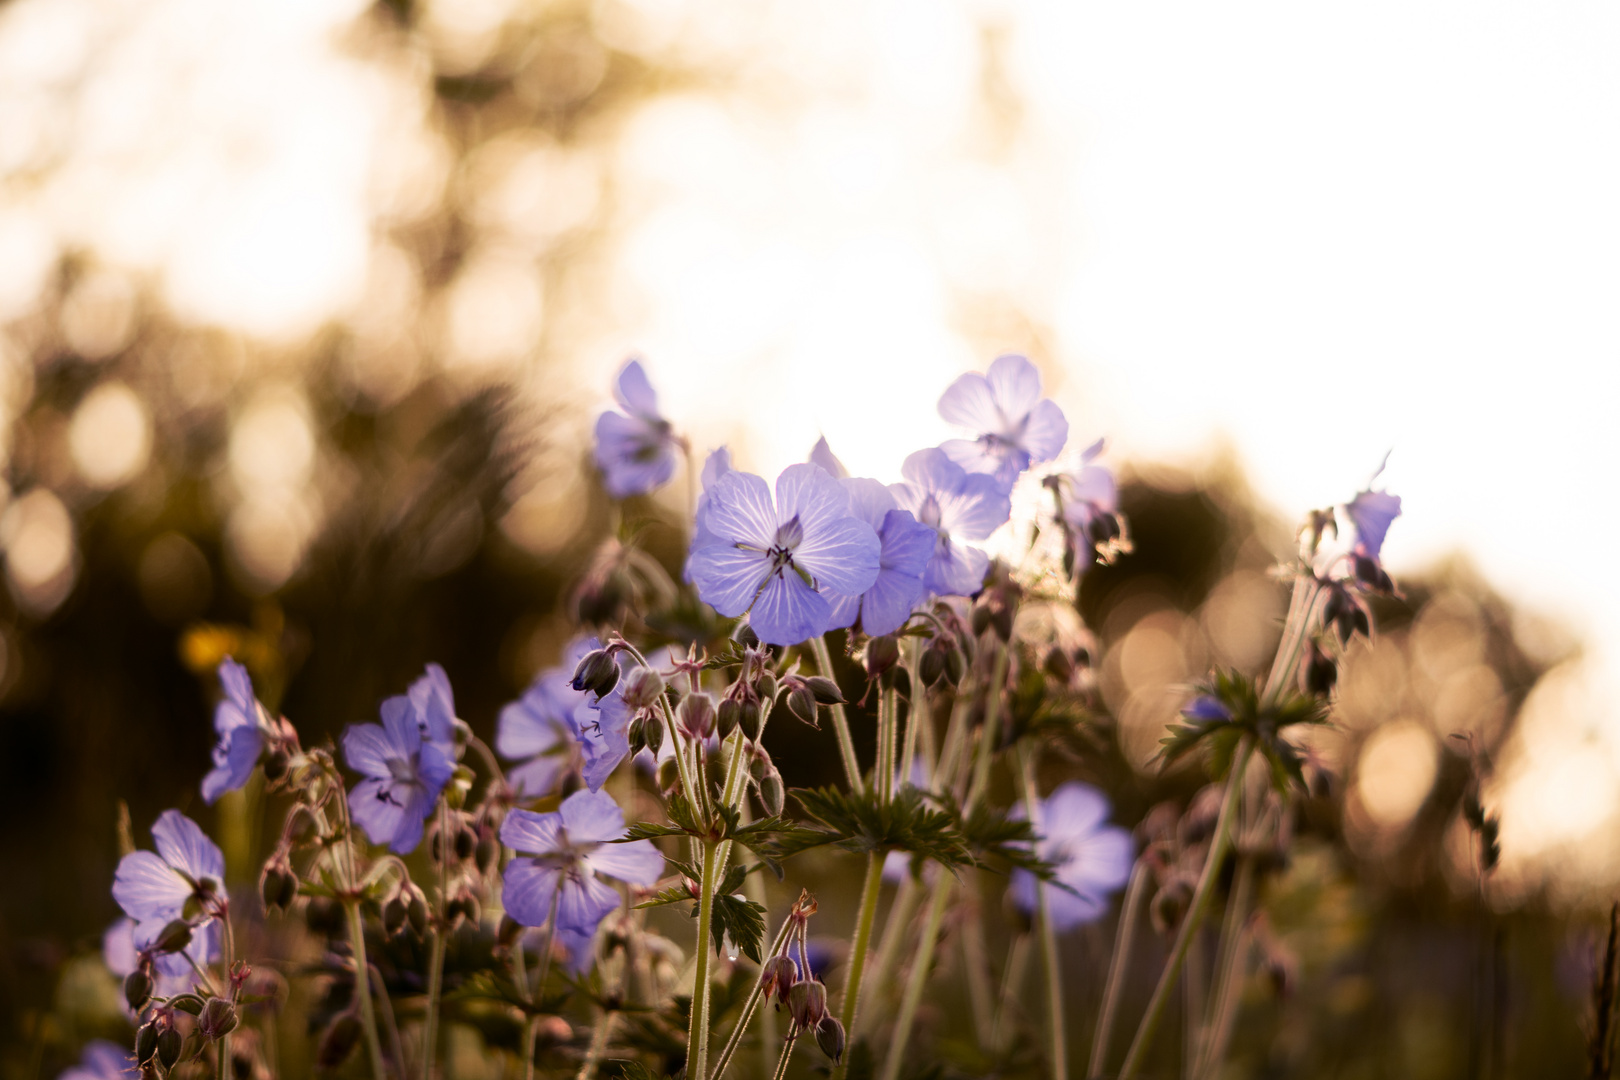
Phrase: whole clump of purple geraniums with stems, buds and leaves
x=516 y=890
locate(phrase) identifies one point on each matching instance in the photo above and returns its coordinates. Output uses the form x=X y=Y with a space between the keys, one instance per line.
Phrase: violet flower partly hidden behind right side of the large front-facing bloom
x=906 y=545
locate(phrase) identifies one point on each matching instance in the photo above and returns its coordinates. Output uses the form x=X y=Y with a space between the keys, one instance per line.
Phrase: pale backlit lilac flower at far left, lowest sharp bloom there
x=155 y=888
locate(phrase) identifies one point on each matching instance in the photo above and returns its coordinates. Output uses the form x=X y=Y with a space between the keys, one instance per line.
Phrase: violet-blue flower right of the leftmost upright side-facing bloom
x=404 y=776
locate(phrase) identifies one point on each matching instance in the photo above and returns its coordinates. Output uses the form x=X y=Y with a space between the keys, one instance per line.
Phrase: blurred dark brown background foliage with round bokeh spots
x=407 y=483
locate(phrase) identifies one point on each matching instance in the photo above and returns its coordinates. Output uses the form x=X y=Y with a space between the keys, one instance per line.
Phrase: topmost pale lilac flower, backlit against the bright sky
x=1013 y=425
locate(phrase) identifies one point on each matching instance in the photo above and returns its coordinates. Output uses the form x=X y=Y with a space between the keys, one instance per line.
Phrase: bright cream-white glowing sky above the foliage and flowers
x=1313 y=234
